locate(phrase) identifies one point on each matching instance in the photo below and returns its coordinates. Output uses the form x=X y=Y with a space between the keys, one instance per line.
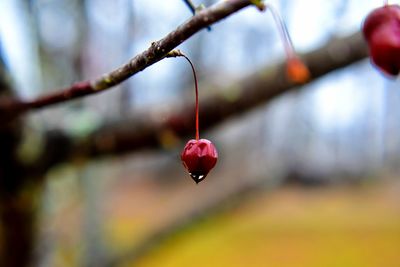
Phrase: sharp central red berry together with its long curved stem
x=199 y=156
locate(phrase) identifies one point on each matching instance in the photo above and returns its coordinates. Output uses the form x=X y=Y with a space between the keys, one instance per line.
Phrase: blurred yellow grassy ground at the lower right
x=293 y=227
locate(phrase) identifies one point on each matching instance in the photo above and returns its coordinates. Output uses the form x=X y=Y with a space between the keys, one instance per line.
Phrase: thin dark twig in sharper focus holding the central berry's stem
x=157 y=51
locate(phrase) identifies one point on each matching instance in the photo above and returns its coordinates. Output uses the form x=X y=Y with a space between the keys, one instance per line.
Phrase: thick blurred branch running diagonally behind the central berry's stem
x=149 y=130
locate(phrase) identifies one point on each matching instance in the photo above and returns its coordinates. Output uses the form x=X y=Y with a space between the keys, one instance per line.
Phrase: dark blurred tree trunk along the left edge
x=17 y=205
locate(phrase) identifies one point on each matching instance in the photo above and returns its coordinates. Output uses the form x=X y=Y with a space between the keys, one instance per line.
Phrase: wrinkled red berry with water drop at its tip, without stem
x=199 y=157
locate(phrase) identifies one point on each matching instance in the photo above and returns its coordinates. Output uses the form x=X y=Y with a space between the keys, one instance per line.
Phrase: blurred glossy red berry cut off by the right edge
x=381 y=29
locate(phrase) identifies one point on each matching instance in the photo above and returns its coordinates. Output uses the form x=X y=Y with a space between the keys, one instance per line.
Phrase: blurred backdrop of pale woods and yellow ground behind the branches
x=306 y=179
